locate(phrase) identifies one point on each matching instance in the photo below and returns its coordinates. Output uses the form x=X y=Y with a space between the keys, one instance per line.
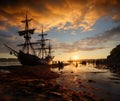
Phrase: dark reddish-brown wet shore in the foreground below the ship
x=36 y=83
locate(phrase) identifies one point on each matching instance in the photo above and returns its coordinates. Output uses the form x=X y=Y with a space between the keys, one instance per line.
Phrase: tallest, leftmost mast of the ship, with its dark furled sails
x=27 y=36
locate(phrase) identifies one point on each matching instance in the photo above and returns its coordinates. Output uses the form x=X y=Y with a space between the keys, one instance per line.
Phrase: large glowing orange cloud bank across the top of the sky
x=52 y=13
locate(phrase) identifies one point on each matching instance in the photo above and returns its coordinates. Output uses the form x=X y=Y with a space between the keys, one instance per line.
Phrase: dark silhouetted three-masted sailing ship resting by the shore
x=31 y=58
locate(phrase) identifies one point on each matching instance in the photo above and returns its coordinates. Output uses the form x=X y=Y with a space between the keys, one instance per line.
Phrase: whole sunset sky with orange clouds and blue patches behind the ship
x=78 y=29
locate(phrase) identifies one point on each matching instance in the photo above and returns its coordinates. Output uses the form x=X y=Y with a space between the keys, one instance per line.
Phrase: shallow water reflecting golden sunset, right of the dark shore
x=100 y=82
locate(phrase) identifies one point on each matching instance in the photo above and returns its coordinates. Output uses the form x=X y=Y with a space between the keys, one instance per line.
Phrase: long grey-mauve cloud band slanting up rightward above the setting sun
x=100 y=41
